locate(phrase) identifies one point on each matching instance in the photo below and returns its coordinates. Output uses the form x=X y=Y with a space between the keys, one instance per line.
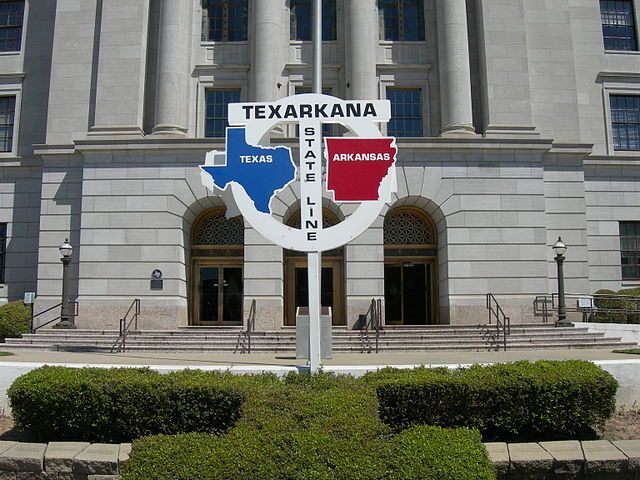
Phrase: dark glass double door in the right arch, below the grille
x=408 y=293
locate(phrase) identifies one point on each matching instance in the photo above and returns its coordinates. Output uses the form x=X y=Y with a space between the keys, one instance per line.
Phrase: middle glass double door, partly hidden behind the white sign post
x=297 y=288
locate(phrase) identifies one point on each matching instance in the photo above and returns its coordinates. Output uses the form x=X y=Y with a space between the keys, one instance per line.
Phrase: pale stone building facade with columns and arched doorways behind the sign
x=517 y=121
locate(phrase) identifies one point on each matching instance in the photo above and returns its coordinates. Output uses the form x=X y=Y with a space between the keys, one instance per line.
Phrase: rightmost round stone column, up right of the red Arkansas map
x=455 y=72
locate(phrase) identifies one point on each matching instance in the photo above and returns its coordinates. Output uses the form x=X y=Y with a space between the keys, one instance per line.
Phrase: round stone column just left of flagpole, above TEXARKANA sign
x=267 y=49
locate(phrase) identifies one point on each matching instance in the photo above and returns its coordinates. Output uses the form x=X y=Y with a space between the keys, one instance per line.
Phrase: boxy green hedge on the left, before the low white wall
x=118 y=405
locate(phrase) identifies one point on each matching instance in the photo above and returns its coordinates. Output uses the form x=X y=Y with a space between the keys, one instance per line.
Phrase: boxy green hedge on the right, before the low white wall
x=518 y=401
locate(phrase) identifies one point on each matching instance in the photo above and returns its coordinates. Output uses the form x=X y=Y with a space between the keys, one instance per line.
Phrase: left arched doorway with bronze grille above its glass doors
x=217 y=257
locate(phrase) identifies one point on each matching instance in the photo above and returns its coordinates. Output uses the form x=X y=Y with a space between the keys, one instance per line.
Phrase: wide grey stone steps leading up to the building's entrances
x=391 y=339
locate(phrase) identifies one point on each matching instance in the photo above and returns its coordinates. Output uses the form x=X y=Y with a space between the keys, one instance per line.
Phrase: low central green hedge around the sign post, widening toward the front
x=319 y=427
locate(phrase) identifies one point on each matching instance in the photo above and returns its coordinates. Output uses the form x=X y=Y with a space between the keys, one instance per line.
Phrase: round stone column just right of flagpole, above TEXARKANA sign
x=362 y=43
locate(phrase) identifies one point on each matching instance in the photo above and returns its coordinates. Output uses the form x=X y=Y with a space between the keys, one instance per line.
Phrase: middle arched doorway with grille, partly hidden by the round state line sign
x=296 y=293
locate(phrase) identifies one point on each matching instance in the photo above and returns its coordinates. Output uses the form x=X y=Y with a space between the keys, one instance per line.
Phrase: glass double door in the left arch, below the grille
x=218 y=296
